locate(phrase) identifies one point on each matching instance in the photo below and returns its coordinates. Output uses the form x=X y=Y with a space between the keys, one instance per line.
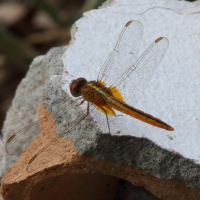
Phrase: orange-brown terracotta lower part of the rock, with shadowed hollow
x=68 y=174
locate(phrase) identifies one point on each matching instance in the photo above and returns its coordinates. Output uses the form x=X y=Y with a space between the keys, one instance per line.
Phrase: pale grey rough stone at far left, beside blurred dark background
x=23 y=110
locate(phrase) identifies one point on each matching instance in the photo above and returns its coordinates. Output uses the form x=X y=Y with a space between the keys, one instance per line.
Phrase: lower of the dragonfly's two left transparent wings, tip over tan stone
x=75 y=125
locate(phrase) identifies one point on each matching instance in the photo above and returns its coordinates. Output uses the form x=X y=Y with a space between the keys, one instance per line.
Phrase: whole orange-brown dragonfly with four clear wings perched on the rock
x=120 y=84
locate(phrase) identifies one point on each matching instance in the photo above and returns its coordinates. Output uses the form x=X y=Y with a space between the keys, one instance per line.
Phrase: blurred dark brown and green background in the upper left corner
x=29 y=28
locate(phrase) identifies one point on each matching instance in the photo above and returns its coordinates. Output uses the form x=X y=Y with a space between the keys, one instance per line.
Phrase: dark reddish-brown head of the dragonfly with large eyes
x=75 y=86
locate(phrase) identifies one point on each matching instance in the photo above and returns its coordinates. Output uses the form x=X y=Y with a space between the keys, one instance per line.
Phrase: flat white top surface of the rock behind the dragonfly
x=173 y=94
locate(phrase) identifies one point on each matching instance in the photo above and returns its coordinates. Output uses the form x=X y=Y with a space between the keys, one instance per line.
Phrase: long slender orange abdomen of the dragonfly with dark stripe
x=138 y=114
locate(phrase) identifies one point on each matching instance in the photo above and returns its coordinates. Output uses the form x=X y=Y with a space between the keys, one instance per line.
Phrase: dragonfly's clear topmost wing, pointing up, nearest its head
x=124 y=54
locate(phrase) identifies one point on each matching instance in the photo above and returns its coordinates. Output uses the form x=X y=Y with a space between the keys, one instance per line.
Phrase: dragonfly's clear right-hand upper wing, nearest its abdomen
x=134 y=81
